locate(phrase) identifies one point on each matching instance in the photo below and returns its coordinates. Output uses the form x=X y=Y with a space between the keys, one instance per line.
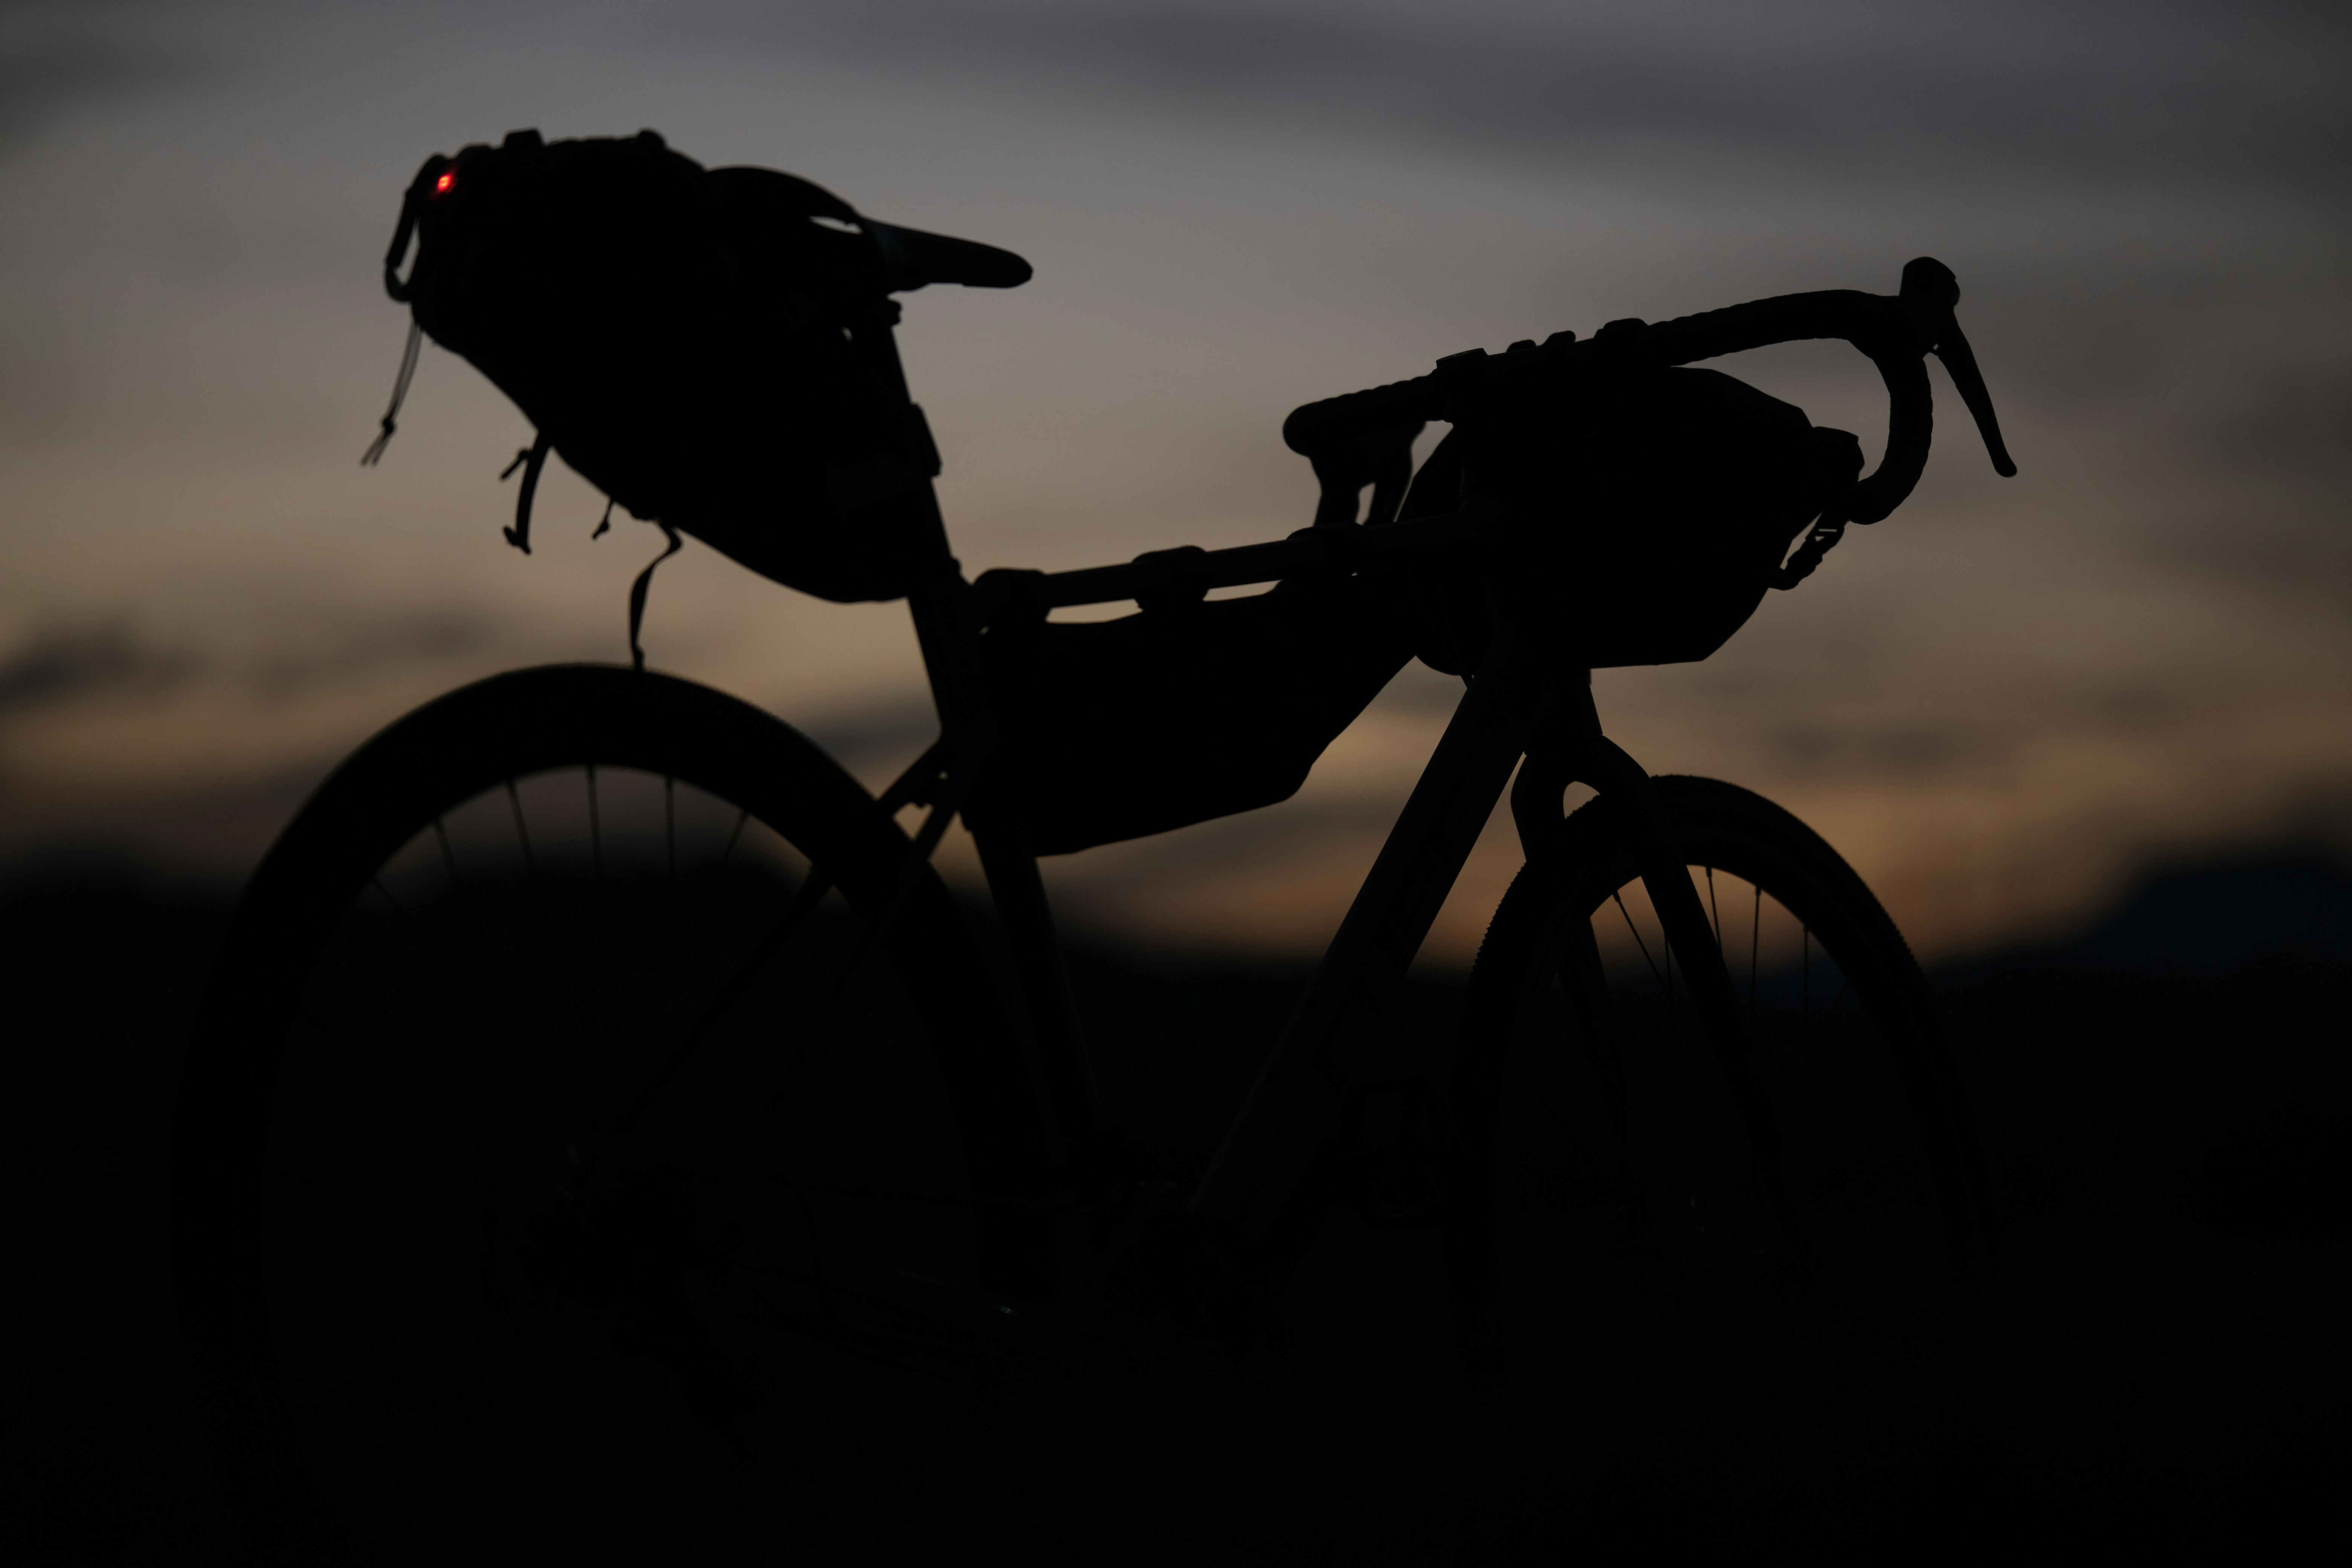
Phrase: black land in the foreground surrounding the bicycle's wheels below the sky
x=2158 y=1339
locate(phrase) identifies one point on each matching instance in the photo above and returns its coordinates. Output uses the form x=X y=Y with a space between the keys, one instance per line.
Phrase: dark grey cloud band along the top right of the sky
x=2254 y=93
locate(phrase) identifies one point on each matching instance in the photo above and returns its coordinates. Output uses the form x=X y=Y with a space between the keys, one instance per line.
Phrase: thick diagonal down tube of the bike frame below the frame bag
x=1295 y=1106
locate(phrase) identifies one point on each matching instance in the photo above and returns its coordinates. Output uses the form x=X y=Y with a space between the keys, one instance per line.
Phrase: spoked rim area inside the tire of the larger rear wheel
x=502 y=1184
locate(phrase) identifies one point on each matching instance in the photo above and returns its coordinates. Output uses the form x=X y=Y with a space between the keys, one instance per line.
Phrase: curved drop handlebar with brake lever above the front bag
x=1347 y=436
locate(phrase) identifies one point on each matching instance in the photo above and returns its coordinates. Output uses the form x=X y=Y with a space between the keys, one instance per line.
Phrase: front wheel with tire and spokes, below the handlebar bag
x=1871 y=1184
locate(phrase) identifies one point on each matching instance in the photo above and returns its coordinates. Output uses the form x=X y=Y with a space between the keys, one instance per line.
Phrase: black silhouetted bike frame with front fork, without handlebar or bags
x=1528 y=699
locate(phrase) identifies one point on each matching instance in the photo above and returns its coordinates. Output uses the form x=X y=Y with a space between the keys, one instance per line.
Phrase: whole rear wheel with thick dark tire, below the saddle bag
x=587 y=1057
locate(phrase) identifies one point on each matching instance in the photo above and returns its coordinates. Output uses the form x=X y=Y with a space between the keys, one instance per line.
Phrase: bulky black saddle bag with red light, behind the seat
x=683 y=340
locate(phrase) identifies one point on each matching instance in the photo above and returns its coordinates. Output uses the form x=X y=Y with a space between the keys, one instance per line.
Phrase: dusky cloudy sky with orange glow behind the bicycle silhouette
x=1998 y=704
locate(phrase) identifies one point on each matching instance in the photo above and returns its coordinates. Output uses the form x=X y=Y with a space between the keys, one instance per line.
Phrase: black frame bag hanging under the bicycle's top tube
x=1184 y=713
